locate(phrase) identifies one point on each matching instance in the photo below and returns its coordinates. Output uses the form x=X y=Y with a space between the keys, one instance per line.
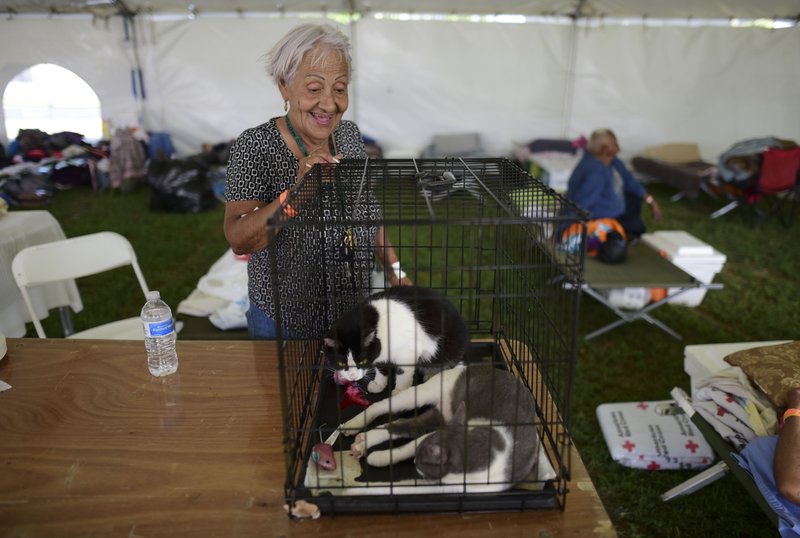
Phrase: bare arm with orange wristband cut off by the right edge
x=786 y=465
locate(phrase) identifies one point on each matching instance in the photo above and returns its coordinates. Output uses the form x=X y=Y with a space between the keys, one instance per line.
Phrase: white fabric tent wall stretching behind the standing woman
x=205 y=79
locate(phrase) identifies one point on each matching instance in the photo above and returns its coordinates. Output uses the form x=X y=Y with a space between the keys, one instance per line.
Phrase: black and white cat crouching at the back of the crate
x=407 y=329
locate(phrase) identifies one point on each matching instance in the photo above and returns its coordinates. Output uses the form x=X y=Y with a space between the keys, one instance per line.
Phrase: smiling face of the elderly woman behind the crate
x=318 y=95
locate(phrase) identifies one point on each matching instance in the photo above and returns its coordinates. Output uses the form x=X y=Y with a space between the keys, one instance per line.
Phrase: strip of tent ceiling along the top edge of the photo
x=594 y=8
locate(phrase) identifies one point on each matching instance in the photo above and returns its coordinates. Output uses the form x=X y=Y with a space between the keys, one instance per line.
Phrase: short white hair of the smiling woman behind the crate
x=288 y=53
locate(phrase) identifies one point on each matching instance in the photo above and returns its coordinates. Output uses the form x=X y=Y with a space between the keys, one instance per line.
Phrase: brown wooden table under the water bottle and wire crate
x=92 y=445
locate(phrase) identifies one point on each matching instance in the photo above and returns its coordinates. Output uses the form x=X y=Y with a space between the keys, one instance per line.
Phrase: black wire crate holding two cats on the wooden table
x=480 y=232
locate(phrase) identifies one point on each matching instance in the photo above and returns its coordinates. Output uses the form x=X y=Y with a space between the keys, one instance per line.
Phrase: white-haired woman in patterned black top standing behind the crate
x=311 y=67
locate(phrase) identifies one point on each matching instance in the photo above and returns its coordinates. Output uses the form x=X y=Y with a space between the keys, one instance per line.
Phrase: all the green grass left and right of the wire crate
x=634 y=362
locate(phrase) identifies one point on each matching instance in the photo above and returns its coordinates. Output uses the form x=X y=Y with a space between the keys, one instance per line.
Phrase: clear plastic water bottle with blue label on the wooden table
x=159 y=336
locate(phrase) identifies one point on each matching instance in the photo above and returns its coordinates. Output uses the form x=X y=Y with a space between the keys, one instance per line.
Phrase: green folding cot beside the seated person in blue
x=644 y=267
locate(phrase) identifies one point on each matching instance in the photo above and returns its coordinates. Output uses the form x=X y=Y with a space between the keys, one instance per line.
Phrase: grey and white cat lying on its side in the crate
x=481 y=433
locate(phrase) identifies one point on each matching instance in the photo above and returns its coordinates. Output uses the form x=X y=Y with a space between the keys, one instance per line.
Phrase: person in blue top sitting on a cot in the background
x=602 y=185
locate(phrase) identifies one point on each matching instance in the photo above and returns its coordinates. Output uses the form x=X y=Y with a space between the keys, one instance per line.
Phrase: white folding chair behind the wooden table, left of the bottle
x=78 y=257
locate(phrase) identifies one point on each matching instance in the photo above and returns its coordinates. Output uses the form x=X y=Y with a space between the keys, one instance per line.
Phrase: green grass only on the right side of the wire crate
x=641 y=362
